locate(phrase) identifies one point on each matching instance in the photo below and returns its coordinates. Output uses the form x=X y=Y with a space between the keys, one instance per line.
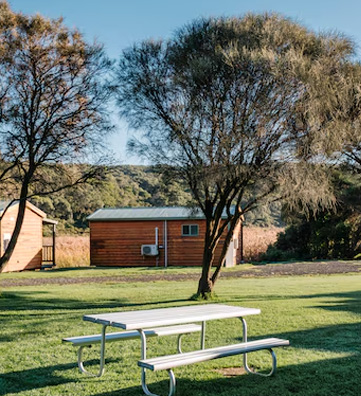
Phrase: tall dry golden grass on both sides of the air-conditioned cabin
x=73 y=251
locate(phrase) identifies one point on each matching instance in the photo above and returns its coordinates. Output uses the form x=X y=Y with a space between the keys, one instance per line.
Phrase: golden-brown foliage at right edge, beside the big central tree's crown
x=334 y=111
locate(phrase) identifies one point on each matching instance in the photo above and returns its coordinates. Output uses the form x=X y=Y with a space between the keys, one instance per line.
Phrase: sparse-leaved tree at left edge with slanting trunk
x=53 y=95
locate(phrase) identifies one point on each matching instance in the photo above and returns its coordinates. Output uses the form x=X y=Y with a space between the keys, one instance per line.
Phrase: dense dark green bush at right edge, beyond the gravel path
x=328 y=234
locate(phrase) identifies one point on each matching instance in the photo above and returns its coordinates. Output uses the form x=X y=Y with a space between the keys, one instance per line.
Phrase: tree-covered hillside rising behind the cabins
x=125 y=186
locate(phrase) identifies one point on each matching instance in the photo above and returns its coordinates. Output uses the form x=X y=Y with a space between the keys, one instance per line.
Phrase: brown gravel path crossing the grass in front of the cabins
x=289 y=269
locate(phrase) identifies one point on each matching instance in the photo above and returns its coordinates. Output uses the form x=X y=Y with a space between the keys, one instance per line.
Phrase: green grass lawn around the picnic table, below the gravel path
x=320 y=316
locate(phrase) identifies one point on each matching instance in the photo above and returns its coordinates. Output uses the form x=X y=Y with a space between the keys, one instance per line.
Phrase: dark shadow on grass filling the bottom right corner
x=321 y=378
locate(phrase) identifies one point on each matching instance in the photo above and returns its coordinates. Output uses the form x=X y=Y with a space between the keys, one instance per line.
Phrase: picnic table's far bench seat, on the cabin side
x=87 y=341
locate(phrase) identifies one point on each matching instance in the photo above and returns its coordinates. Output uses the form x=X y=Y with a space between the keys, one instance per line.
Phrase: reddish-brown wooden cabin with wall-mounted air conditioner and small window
x=152 y=237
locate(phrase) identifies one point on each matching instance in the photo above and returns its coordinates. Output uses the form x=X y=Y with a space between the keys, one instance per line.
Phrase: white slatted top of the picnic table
x=142 y=319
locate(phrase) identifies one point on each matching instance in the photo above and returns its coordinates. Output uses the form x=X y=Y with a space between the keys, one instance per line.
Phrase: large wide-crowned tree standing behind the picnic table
x=223 y=104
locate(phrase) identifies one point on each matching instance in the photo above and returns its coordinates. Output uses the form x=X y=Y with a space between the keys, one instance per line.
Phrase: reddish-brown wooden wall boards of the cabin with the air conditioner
x=118 y=243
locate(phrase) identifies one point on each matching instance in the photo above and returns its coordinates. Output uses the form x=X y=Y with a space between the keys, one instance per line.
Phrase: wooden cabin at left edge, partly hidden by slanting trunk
x=29 y=251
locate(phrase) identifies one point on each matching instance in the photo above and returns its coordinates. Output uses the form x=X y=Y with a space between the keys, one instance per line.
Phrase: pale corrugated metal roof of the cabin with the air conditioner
x=165 y=213
